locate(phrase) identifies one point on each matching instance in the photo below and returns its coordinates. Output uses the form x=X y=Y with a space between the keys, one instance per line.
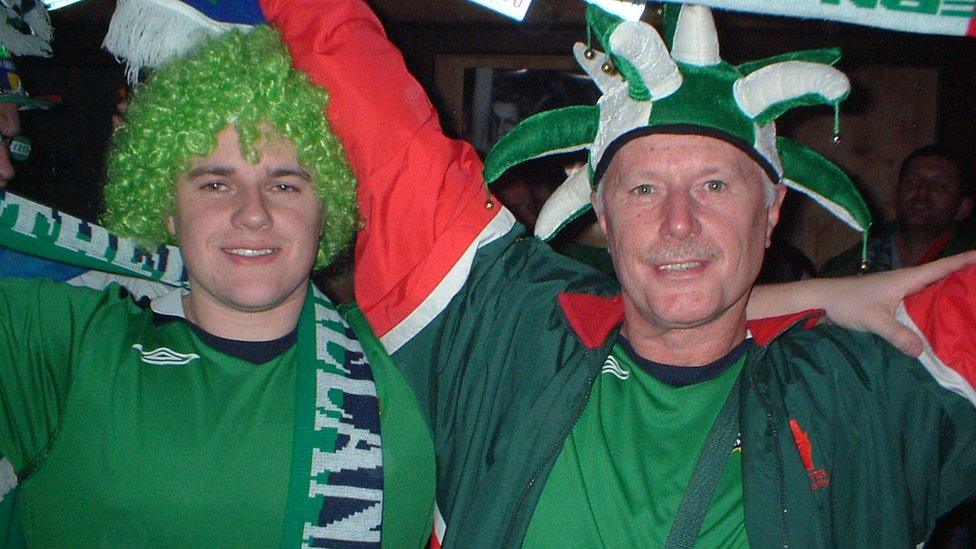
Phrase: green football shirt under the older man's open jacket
x=624 y=468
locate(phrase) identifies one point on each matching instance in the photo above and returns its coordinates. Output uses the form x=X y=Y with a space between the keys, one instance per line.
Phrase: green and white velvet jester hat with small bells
x=690 y=90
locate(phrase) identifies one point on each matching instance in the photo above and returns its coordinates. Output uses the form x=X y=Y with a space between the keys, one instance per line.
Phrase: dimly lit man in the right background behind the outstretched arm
x=933 y=201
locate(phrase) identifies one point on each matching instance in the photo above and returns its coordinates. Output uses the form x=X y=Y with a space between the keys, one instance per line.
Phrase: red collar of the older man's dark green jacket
x=593 y=317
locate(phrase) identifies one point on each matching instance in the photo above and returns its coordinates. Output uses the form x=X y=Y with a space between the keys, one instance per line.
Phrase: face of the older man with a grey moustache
x=687 y=224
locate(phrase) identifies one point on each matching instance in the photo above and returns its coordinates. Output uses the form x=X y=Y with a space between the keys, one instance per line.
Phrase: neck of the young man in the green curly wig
x=230 y=323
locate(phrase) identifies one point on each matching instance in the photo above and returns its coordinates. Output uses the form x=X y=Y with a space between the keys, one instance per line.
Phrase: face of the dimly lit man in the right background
x=929 y=195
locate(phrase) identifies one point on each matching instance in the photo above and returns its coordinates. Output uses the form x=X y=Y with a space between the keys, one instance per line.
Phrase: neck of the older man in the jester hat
x=686 y=346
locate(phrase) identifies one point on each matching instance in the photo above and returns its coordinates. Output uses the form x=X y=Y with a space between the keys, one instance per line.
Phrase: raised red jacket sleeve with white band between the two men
x=421 y=195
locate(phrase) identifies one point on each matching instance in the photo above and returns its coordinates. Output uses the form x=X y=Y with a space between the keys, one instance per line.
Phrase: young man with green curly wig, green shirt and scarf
x=244 y=410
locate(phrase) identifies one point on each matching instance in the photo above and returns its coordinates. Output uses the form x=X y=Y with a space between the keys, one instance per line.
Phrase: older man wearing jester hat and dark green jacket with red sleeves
x=569 y=412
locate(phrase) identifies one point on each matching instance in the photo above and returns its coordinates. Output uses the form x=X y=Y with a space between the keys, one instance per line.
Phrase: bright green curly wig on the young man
x=244 y=79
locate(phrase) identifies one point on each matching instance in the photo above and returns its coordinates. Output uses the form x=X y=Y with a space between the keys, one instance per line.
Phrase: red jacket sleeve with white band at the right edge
x=944 y=315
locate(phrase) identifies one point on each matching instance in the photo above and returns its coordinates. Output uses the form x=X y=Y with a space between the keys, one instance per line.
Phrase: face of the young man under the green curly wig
x=248 y=233
